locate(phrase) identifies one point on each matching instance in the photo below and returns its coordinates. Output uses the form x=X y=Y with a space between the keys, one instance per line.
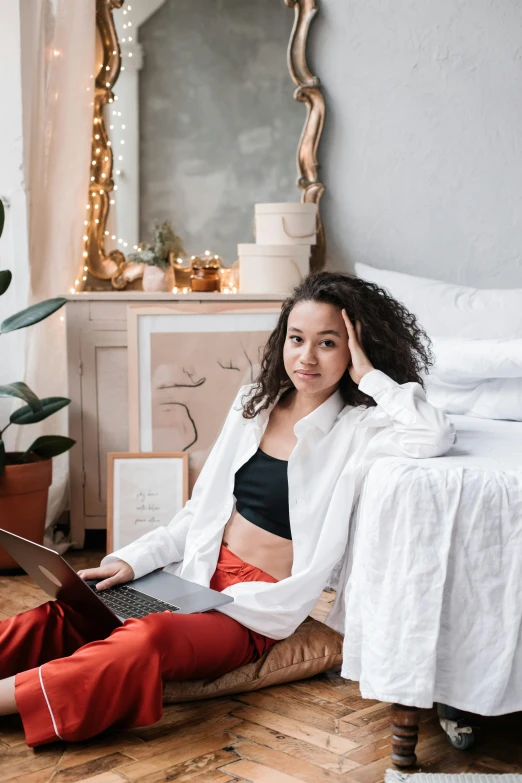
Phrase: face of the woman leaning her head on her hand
x=315 y=352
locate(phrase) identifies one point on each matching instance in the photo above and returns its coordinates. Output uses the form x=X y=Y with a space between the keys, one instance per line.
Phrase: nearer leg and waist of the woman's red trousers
x=118 y=681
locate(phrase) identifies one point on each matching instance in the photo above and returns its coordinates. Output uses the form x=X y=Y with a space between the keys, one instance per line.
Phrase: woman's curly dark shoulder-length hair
x=391 y=338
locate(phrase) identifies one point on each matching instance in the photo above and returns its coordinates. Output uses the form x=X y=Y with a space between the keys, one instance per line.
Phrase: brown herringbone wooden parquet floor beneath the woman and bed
x=318 y=730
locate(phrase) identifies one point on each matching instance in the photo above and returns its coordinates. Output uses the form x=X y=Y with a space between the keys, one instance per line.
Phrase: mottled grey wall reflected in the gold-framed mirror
x=219 y=127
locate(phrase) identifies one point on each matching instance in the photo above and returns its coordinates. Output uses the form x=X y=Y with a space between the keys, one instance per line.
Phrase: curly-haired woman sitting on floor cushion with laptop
x=268 y=519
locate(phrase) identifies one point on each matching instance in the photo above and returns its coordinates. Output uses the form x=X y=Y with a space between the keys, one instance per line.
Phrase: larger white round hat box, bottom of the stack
x=272 y=269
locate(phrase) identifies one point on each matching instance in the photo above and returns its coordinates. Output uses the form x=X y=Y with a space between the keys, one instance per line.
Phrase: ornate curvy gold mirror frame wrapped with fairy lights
x=110 y=267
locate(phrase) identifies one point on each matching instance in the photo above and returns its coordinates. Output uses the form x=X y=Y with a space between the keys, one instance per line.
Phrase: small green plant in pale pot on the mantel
x=158 y=257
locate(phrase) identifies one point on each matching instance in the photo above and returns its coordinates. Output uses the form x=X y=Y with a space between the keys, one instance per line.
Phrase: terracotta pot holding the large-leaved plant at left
x=23 y=501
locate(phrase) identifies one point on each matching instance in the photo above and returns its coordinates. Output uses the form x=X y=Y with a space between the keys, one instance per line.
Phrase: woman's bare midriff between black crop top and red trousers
x=272 y=554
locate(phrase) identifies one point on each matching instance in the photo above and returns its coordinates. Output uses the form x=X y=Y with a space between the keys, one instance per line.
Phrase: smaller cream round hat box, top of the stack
x=286 y=224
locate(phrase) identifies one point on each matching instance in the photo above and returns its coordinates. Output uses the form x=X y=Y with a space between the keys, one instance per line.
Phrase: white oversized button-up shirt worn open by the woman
x=336 y=445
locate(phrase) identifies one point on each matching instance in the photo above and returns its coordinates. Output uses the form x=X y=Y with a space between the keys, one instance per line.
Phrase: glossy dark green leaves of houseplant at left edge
x=34 y=408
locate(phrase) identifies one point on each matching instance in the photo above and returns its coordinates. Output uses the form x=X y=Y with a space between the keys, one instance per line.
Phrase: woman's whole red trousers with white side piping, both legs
x=71 y=684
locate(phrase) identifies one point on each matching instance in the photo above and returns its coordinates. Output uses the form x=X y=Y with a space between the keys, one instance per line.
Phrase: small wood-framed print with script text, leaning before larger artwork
x=144 y=491
